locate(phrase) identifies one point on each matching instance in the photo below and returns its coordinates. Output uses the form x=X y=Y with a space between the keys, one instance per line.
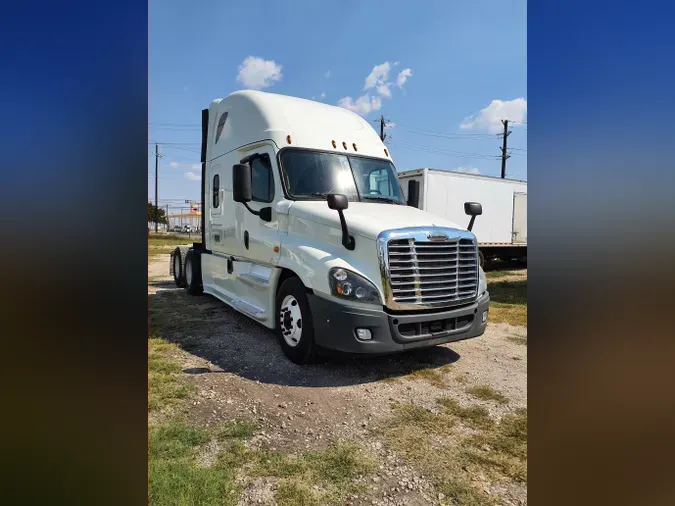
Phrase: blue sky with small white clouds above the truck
x=465 y=69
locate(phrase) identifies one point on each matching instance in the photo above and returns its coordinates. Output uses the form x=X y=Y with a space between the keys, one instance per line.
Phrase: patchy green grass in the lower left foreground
x=179 y=478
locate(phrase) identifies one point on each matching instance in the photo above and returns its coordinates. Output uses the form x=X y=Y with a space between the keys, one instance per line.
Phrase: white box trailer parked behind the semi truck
x=502 y=228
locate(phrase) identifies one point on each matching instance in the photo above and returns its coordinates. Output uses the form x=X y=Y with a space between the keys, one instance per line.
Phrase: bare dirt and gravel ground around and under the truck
x=240 y=371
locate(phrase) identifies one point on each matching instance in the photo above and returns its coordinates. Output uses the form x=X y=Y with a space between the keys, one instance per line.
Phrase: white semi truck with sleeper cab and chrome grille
x=305 y=229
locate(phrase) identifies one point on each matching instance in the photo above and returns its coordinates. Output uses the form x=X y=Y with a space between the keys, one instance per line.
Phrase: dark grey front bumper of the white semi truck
x=335 y=326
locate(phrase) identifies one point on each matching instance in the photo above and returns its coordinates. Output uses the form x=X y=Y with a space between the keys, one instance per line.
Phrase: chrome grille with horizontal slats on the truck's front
x=432 y=273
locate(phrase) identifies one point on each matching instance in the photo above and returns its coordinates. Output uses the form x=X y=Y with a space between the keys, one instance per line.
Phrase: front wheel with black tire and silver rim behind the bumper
x=294 y=324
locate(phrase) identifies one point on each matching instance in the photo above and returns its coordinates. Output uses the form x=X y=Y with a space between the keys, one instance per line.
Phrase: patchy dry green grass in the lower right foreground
x=450 y=458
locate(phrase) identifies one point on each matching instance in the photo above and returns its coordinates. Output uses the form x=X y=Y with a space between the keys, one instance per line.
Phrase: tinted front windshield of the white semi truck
x=313 y=175
